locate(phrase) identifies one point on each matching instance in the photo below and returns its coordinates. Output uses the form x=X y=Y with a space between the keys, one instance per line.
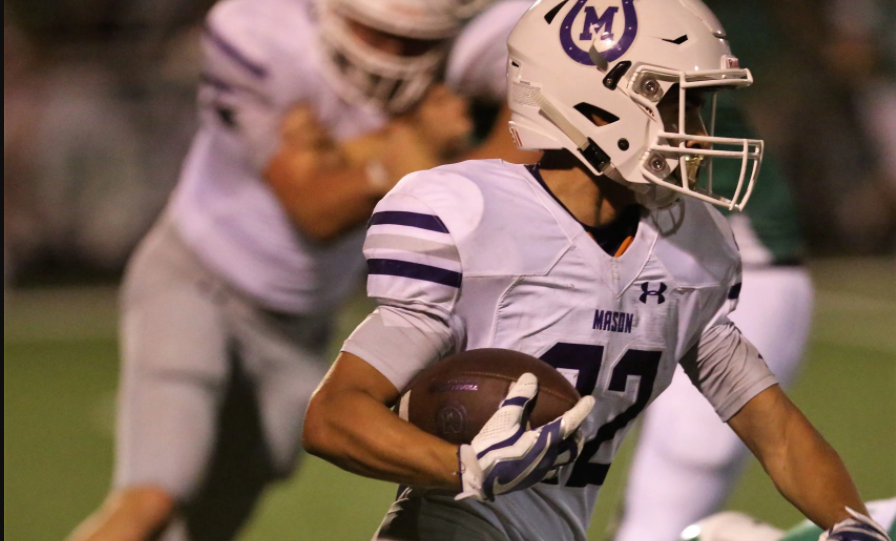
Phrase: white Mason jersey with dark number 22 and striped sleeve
x=484 y=248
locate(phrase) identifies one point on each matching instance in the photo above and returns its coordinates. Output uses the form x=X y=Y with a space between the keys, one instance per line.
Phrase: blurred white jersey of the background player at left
x=261 y=58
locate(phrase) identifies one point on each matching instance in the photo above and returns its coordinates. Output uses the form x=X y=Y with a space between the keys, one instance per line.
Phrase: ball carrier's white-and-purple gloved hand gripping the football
x=505 y=457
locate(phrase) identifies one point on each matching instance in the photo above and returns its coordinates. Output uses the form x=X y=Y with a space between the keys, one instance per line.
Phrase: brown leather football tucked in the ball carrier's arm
x=454 y=397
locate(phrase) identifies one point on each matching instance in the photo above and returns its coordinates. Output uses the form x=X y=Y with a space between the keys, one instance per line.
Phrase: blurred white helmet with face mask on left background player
x=364 y=75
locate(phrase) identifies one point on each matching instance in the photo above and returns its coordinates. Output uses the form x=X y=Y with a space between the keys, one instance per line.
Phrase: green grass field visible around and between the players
x=60 y=370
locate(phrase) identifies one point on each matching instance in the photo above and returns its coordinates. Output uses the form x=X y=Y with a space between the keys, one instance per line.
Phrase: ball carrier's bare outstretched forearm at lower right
x=804 y=467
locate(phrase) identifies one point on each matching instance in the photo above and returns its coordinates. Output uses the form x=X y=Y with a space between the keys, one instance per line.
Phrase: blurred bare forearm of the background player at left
x=322 y=201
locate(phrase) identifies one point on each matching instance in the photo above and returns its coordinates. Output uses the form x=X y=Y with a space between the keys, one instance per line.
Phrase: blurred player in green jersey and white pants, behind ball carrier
x=687 y=461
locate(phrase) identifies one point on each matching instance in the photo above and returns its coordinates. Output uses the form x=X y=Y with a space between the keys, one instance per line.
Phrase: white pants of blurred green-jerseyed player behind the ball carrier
x=687 y=460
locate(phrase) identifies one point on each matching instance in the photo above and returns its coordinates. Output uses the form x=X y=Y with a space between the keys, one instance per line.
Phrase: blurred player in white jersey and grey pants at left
x=309 y=114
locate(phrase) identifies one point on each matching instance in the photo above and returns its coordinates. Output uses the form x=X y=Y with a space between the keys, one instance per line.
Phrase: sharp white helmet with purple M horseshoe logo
x=574 y=60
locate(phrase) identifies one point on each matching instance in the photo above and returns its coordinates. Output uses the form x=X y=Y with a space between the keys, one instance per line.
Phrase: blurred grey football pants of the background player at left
x=213 y=388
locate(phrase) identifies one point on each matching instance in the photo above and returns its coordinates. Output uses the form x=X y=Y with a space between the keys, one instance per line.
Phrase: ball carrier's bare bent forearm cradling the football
x=358 y=433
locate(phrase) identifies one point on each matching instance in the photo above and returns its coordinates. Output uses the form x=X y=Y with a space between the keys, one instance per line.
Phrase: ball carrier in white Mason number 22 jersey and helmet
x=605 y=259
